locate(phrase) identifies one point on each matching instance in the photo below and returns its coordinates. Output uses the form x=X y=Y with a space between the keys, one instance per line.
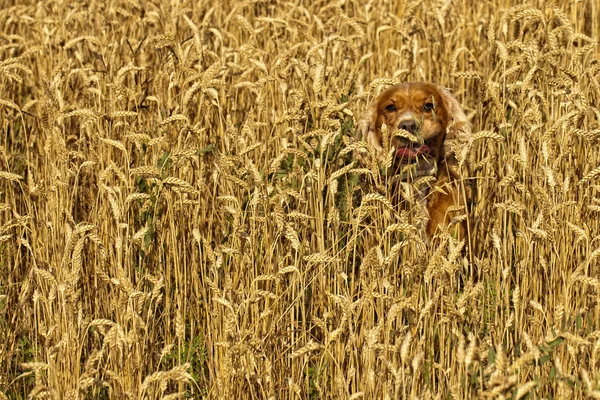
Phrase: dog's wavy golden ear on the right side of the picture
x=457 y=143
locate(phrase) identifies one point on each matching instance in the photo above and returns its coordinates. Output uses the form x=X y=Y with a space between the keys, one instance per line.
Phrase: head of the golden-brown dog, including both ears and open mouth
x=424 y=121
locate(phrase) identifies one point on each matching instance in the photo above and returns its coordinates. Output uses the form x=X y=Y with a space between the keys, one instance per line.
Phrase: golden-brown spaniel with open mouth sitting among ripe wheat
x=430 y=136
